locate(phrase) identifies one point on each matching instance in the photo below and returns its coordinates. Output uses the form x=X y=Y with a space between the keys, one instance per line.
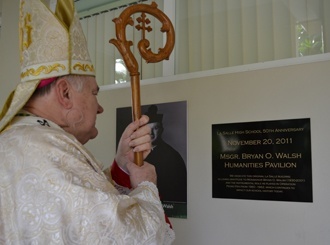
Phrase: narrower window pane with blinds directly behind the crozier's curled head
x=110 y=67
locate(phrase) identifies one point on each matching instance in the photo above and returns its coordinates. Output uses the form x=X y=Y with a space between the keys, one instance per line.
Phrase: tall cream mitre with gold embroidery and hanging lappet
x=52 y=44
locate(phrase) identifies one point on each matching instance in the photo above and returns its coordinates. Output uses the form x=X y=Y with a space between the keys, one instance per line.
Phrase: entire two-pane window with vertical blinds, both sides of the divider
x=215 y=34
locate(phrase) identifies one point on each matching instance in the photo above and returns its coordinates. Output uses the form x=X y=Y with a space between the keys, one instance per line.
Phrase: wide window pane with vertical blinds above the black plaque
x=224 y=33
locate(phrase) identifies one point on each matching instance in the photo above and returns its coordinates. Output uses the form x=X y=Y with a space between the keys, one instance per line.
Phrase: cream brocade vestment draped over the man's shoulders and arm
x=53 y=191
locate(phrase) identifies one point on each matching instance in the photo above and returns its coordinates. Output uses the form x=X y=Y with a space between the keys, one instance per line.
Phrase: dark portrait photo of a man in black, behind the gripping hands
x=168 y=122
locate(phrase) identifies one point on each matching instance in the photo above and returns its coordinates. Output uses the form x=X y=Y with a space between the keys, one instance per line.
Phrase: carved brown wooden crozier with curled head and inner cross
x=123 y=47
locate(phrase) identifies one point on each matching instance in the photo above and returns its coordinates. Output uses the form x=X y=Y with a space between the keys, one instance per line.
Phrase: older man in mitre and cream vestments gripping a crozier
x=52 y=190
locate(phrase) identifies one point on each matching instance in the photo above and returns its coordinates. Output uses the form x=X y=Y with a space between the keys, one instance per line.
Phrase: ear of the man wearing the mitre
x=64 y=93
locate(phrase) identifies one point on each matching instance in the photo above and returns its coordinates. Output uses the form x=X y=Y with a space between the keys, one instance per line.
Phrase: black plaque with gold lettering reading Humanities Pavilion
x=266 y=160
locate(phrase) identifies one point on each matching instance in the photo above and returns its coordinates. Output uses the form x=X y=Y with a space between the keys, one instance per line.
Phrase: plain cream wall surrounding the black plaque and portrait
x=297 y=91
